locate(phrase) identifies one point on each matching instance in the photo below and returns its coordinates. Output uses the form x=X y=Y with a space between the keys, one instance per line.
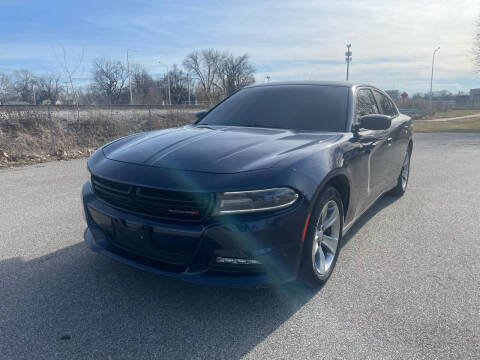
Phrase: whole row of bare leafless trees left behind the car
x=205 y=76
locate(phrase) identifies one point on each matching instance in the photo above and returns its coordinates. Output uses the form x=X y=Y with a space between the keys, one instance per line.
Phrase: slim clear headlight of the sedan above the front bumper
x=254 y=200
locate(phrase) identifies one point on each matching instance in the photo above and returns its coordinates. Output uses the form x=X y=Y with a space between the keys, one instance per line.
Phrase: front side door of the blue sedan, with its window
x=377 y=144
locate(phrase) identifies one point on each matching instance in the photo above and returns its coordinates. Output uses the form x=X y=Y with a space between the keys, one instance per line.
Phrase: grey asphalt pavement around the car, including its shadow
x=407 y=283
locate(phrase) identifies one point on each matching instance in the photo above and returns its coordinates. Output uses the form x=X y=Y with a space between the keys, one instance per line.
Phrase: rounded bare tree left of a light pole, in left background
x=110 y=79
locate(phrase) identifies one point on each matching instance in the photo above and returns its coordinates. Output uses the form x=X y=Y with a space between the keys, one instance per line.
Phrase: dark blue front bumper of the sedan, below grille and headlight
x=187 y=251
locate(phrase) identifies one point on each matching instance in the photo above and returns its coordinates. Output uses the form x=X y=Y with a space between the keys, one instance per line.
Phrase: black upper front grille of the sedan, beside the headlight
x=174 y=205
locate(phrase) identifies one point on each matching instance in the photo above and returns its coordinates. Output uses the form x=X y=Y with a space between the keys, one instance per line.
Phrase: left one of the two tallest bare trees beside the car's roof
x=205 y=65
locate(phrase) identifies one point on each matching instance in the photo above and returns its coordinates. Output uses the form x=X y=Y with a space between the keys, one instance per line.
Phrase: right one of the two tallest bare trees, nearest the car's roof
x=235 y=73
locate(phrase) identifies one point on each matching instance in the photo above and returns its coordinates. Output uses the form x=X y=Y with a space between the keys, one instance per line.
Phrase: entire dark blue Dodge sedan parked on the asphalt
x=259 y=190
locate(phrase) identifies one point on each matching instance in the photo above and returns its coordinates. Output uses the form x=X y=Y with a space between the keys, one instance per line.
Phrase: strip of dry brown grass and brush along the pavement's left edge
x=25 y=135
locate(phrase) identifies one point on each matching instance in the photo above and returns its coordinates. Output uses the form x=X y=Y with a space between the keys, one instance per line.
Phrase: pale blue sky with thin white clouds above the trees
x=392 y=41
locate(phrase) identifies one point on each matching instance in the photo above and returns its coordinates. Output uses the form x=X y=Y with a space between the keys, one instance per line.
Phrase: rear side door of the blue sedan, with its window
x=398 y=142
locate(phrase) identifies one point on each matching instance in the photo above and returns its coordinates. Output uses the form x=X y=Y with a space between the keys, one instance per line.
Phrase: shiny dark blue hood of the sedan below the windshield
x=213 y=149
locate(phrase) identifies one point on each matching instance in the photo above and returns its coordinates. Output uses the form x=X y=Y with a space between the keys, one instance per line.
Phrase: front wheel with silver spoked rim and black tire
x=323 y=239
